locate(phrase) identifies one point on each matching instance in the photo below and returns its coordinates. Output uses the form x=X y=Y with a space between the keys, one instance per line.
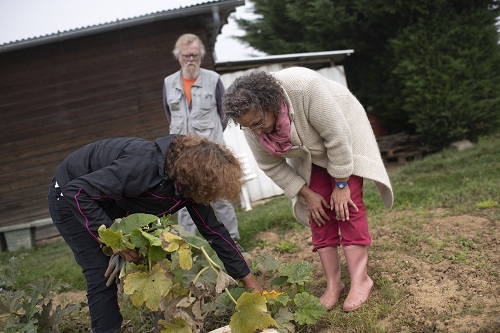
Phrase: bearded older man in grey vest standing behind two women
x=192 y=102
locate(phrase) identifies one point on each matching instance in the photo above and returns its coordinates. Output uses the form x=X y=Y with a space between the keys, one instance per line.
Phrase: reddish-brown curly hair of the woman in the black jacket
x=203 y=170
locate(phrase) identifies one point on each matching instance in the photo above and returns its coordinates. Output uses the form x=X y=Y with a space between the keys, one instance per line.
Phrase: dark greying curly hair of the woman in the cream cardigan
x=257 y=91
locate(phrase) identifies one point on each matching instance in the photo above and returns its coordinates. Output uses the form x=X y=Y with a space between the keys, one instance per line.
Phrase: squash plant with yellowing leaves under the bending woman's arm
x=181 y=279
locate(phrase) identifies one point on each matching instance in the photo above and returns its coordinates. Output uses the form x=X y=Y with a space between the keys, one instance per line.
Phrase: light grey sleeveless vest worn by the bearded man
x=203 y=117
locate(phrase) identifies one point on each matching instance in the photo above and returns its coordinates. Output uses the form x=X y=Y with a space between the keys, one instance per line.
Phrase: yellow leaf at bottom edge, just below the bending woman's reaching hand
x=251 y=314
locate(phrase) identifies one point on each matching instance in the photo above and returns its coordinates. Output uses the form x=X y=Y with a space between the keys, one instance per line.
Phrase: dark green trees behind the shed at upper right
x=430 y=66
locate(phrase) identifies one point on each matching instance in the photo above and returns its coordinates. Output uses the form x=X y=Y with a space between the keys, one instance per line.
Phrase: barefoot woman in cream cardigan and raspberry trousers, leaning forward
x=312 y=137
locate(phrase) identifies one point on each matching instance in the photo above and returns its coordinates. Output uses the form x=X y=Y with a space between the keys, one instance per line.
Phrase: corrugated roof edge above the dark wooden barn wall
x=199 y=8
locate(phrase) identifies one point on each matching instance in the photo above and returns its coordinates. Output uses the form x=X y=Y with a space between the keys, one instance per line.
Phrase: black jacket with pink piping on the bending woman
x=113 y=178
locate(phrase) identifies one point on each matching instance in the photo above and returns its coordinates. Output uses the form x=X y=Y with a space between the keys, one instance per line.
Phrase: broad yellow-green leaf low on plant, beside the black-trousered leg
x=147 y=288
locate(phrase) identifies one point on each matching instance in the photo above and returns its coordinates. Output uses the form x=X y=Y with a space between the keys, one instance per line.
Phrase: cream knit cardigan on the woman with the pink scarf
x=330 y=129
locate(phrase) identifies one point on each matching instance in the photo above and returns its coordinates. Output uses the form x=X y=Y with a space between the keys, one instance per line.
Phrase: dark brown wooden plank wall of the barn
x=58 y=97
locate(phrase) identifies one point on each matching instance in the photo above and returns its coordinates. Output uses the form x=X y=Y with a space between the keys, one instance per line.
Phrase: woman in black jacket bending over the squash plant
x=113 y=178
